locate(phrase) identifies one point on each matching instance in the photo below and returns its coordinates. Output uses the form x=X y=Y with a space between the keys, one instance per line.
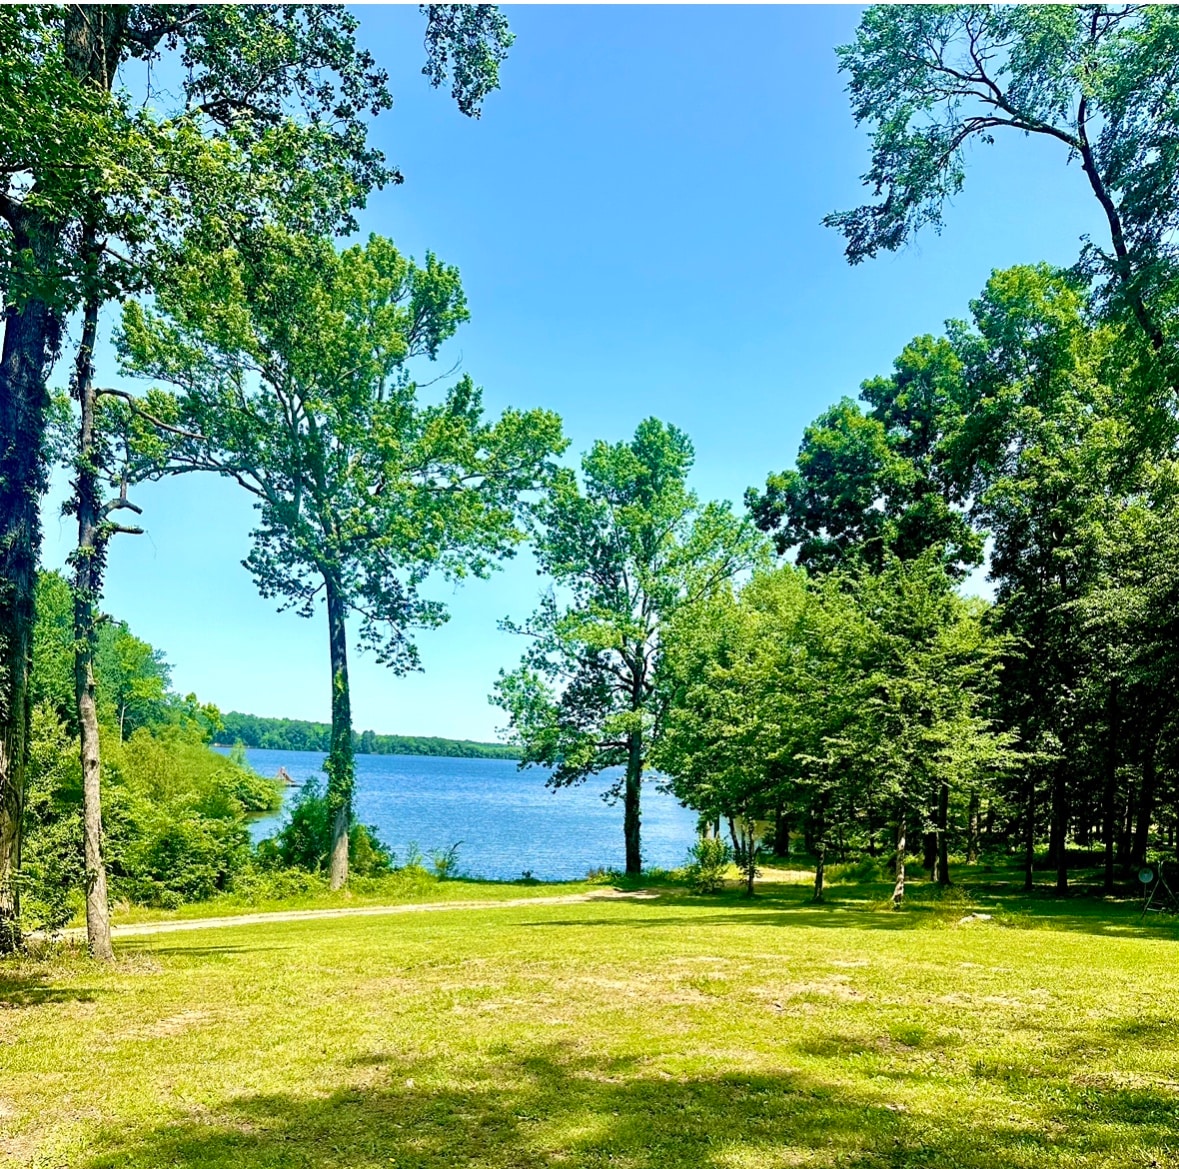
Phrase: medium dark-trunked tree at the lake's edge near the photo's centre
x=630 y=551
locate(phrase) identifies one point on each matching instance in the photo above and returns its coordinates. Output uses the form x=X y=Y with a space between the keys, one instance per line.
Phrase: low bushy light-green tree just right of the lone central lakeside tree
x=759 y=691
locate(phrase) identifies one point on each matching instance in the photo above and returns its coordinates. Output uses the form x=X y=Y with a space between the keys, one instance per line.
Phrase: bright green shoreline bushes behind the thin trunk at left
x=175 y=811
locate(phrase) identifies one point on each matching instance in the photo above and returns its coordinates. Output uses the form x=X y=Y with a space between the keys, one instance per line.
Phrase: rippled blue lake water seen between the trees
x=509 y=821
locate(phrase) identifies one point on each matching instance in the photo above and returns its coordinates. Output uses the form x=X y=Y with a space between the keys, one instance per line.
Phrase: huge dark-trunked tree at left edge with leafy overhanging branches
x=97 y=187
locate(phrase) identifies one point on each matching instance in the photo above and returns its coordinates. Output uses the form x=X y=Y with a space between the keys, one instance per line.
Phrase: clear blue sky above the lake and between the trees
x=637 y=222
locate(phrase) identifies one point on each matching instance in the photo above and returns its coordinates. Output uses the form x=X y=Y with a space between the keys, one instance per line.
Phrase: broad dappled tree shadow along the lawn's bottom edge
x=519 y=1111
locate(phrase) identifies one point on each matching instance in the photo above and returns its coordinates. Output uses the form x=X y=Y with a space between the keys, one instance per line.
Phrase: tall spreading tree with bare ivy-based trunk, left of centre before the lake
x=291 y=364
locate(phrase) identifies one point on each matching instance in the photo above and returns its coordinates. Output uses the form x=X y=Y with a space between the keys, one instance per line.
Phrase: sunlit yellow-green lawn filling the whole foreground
x=662 y=1032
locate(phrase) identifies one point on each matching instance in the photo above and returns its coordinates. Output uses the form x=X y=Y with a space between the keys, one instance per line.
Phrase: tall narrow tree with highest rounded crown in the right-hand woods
x=1044 y=458
